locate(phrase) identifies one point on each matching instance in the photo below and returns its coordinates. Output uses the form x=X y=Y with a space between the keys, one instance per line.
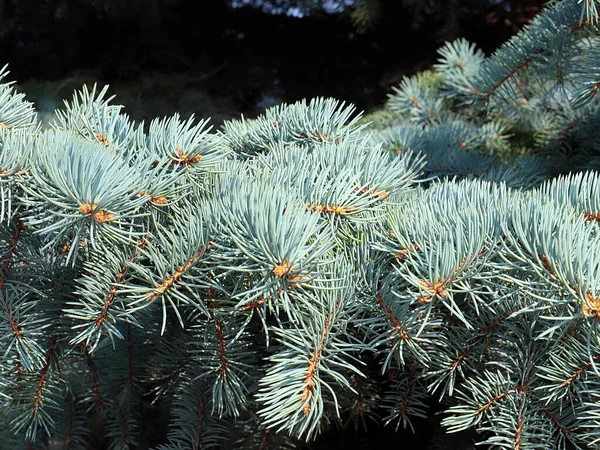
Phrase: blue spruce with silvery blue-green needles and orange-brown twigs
x=309 y=269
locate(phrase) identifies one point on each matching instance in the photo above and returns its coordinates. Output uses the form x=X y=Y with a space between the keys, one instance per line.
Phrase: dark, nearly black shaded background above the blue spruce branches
x=205 y=56
